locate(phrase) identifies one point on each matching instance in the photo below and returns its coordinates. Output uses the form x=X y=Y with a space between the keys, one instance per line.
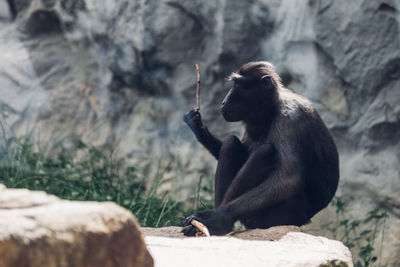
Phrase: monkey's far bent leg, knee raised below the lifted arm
x=231 y=158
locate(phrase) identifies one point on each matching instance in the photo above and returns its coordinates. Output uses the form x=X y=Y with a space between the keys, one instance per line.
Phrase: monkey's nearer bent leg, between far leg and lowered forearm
x=254 y=171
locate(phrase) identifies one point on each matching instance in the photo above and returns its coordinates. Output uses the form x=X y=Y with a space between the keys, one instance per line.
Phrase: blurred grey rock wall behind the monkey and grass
x=121 y=73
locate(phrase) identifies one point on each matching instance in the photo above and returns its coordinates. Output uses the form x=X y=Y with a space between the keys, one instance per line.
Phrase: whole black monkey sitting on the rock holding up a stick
x=284 y=169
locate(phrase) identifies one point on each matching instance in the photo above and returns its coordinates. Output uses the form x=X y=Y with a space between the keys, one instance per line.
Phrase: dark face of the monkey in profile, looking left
x=243 y=99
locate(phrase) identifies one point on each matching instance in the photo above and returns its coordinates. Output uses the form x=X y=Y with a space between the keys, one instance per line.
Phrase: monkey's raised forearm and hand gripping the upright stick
x=193 y=120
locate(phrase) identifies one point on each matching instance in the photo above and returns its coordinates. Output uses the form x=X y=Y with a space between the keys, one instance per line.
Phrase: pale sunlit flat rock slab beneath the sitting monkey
x=293 y=249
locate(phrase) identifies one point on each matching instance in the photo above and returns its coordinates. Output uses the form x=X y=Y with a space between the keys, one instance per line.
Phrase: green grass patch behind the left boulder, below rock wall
x=86 y=173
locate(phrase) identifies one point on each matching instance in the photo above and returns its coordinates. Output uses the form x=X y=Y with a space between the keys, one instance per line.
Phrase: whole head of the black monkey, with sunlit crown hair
x=254 y=91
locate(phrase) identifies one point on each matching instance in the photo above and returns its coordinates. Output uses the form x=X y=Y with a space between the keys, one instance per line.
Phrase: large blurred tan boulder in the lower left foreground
x=37 y=229
